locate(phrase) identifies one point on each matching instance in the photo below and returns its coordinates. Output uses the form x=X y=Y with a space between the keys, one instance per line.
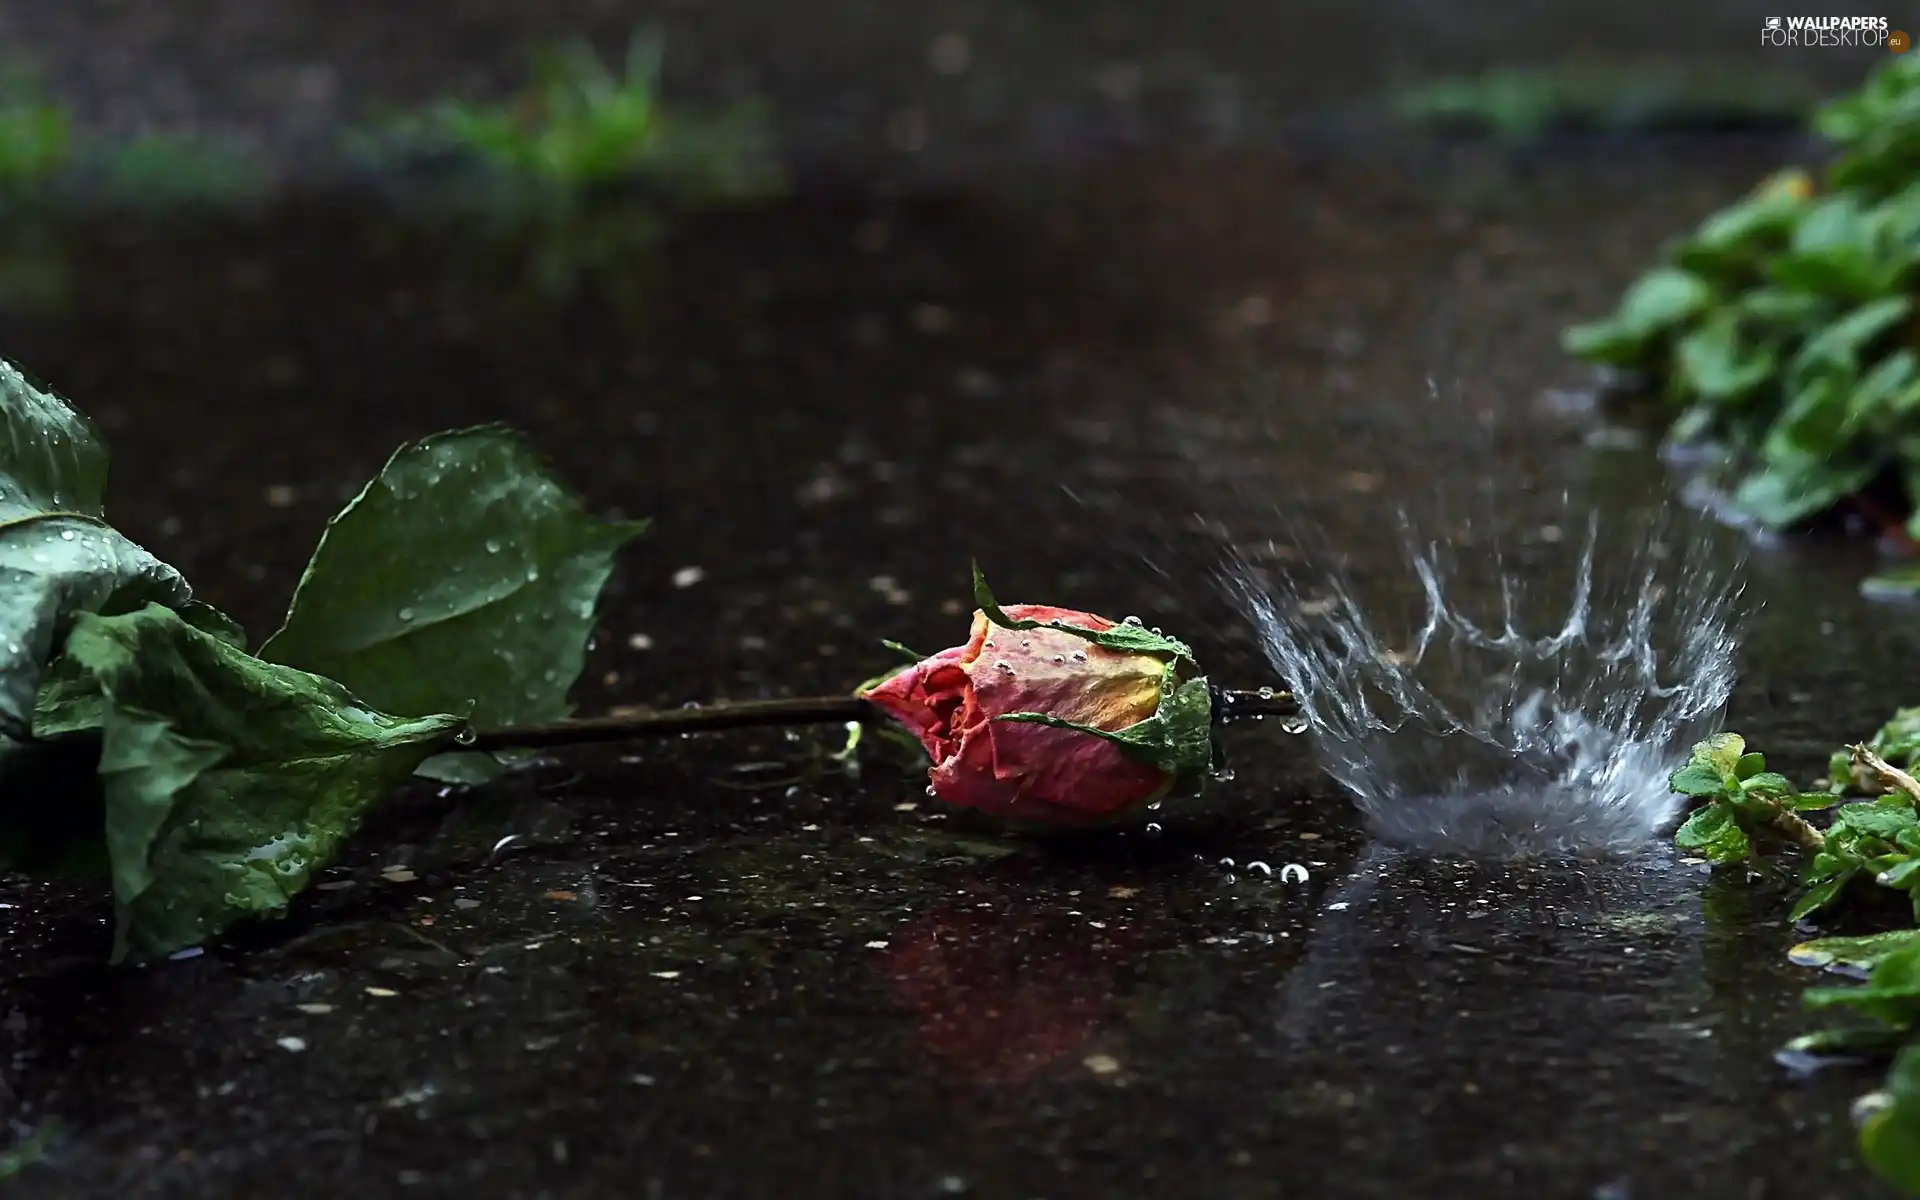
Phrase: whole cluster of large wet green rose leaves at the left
x=210 y=782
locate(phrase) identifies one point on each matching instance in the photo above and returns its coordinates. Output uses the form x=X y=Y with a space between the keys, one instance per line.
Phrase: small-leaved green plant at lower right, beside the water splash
x=1867 y=853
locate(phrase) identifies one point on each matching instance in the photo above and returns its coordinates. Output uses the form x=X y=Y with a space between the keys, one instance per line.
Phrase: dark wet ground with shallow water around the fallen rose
x=721 y=967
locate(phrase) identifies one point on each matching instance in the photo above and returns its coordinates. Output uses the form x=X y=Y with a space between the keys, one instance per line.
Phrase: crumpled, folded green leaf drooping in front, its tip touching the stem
x=228 y=780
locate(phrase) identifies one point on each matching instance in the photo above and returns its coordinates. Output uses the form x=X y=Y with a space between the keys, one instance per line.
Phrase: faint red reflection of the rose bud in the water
x=1001 y=999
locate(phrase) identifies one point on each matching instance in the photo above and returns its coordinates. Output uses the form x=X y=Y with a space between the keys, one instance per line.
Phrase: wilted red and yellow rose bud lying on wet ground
x=1055 y=717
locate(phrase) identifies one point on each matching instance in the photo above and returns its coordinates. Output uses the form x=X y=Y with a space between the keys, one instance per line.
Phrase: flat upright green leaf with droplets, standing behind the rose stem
x=464 y=579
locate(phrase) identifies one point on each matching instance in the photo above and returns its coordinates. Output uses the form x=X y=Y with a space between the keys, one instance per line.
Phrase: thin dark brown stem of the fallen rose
x=807 y=711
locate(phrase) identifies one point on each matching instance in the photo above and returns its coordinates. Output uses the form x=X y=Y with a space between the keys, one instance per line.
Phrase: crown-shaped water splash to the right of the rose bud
x=1487 y=740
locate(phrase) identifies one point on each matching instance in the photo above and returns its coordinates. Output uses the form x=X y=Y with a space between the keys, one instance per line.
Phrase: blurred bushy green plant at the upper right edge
x=1783 y=329
